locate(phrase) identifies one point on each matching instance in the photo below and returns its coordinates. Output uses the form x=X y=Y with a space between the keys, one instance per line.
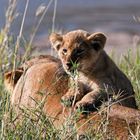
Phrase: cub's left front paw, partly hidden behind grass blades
x=67 y=100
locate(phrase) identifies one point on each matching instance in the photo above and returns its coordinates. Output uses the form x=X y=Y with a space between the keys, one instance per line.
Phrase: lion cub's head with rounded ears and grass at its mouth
x=78 y=49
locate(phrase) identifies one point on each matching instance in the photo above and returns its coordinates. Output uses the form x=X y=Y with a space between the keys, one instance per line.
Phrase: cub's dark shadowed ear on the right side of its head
x=97 y=40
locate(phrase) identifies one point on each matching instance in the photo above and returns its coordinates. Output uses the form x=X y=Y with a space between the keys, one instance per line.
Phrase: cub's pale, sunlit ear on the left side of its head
x=56 y=40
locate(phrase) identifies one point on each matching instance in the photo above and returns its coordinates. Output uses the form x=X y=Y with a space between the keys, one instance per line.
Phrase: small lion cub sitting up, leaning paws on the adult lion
x=99 y=79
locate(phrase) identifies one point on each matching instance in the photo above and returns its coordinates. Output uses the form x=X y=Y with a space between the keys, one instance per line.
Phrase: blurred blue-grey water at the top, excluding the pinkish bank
x=109 y=16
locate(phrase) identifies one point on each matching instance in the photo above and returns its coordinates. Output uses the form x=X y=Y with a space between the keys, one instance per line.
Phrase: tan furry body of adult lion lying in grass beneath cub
x=46 y=76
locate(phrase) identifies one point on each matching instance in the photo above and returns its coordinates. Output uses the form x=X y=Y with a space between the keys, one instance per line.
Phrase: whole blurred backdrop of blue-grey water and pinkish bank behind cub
x=118 y=19
